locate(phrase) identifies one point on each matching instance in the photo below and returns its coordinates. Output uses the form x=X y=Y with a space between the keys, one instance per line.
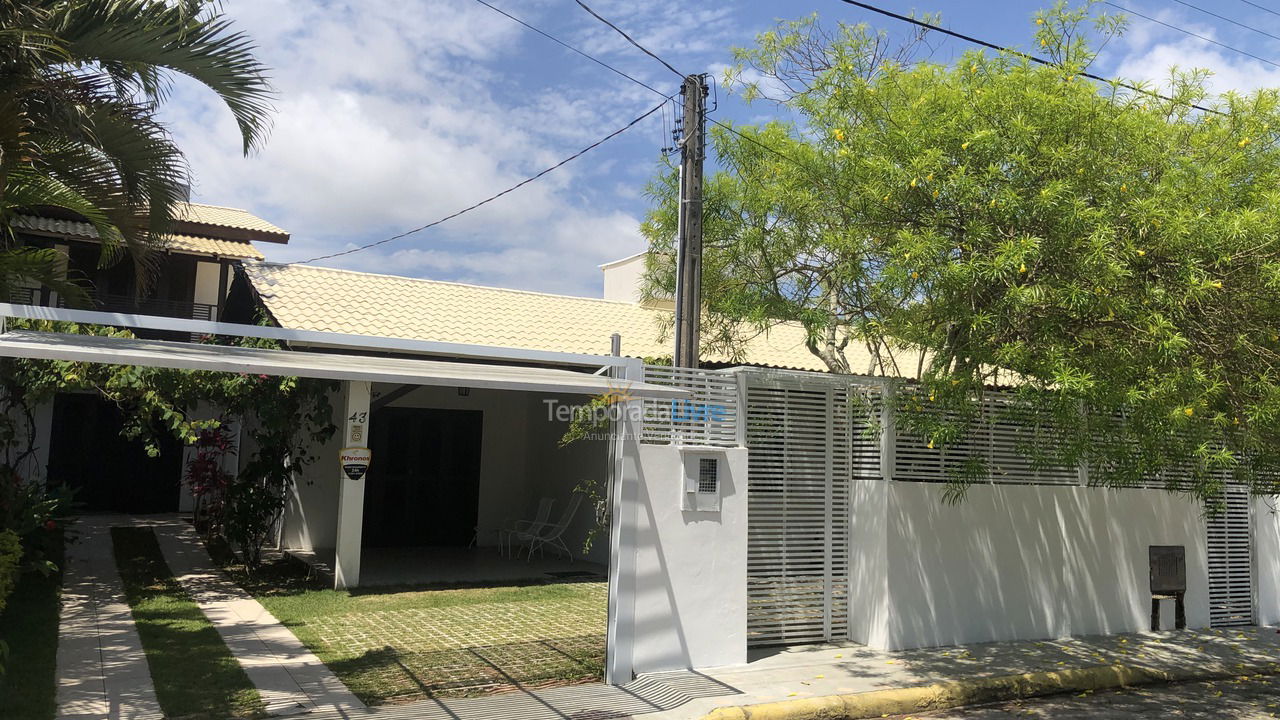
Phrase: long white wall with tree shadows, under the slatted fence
x=1018 y=563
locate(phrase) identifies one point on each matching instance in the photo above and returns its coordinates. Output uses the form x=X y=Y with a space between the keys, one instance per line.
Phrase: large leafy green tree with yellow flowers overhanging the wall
x=1110 y=250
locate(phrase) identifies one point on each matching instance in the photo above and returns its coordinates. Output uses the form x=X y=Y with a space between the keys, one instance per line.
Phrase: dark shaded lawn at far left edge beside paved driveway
x=30 y=627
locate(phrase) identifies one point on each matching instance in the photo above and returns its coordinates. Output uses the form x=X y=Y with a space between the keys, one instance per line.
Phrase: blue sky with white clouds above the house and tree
x=394 y=113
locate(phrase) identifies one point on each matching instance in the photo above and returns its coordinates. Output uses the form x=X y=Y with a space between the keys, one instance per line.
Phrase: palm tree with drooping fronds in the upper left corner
x=80 y=86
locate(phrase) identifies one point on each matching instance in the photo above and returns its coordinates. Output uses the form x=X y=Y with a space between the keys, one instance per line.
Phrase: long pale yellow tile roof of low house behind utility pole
x=324 y=299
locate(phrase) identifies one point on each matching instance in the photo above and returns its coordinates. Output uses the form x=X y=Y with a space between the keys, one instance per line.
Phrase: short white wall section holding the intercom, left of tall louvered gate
x=682 y=601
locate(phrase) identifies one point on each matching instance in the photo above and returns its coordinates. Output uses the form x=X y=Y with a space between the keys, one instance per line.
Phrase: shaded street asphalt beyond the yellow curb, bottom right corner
x=1244 y=699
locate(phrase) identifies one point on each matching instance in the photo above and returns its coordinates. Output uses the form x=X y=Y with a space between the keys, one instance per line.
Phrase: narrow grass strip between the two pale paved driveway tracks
x=194 y=672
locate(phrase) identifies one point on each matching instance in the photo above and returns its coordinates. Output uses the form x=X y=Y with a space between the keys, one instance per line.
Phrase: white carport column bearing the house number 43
x=351 y=494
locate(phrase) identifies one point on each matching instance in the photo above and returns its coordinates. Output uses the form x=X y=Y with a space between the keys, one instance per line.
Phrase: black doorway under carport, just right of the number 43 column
x=424 y=485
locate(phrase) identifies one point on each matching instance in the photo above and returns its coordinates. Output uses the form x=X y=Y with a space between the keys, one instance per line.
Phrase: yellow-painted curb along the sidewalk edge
x=941 y=696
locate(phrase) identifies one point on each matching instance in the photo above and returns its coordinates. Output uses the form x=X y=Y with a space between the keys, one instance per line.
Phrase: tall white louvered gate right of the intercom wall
x=806 y=438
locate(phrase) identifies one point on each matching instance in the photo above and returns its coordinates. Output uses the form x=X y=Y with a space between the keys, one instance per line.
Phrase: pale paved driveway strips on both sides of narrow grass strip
x=103 y=671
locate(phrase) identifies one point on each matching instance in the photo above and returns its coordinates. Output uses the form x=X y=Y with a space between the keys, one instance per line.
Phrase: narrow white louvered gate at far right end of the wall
x=1231 y=562
